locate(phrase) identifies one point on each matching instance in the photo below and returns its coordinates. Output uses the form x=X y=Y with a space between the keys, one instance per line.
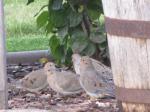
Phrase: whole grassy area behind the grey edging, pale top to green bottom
x=21 y=30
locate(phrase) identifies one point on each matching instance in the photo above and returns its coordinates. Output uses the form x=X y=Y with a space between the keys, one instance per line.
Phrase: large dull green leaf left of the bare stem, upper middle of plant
x=75 y=18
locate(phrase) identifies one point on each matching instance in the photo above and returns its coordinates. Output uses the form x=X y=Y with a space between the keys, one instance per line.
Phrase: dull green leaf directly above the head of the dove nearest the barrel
x=90 y=49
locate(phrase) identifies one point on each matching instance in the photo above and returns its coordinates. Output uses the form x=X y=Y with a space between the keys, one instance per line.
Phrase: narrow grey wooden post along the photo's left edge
x=3 y=76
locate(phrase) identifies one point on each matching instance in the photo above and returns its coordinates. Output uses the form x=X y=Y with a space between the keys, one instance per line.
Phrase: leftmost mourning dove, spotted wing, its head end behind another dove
x=35 y=81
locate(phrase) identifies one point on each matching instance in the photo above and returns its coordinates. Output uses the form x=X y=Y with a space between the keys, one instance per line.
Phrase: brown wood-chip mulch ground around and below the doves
x=47 y=98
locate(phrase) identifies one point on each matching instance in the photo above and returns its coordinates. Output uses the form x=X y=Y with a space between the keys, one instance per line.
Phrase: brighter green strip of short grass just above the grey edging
x=27 y=43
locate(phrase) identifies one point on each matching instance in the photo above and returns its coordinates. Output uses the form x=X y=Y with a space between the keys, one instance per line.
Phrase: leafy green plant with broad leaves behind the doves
x=76 y=26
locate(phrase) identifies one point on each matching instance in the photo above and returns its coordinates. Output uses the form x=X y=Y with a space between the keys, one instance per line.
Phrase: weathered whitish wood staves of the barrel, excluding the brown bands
x=130 y=57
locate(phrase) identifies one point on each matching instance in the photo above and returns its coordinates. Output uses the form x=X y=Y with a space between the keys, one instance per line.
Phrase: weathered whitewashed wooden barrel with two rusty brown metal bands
x=128 y=30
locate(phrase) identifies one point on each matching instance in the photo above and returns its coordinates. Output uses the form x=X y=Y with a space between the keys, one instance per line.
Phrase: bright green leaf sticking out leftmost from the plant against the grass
x=42 y=19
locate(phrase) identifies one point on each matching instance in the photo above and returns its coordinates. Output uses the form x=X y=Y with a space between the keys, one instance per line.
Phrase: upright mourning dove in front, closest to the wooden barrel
x=92 y=82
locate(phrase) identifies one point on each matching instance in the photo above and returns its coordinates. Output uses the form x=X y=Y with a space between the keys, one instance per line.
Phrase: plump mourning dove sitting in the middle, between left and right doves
x=63 y=82
